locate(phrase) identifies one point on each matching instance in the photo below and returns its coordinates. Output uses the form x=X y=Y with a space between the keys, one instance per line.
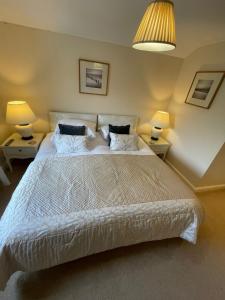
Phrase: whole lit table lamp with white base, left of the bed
x=20 y=114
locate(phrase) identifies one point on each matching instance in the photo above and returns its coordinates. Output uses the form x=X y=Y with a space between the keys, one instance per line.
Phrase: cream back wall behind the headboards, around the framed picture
x=42 y=68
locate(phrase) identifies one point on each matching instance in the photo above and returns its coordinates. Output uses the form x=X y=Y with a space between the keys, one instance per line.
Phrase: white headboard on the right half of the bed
x=117 y=120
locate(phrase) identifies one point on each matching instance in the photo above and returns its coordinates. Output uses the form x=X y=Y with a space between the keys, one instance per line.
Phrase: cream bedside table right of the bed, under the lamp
x=160 y=147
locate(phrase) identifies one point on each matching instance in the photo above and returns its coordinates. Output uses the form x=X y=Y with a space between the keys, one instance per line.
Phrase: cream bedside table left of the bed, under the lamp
x=21 y=149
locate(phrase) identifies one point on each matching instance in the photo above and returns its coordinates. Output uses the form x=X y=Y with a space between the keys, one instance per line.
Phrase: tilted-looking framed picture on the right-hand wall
x=204 y=87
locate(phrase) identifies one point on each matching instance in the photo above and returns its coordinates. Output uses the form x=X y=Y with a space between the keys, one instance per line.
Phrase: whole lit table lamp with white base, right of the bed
x=159 y=121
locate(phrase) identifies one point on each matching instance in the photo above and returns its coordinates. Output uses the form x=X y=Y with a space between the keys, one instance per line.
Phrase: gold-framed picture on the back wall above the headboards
x=93 y=77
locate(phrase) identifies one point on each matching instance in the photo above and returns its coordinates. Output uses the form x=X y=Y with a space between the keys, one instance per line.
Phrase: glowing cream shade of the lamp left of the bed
x=19 y=113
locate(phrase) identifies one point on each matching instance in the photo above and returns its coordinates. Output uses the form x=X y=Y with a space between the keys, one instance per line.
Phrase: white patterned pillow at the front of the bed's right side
x=123 y=142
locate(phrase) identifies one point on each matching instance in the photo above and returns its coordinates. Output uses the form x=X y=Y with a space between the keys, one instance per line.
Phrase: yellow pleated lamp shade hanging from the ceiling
x=156 y=31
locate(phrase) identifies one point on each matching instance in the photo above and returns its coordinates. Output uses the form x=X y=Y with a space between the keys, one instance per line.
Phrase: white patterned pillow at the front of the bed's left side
x=70 y=143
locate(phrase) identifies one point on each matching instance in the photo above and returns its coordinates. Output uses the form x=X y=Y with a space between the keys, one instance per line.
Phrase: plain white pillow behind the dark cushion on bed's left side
x=90 y=126
